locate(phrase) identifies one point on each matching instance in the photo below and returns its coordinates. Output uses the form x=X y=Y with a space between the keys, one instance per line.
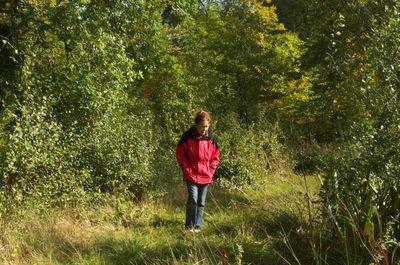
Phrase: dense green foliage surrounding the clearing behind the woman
x=95 y=94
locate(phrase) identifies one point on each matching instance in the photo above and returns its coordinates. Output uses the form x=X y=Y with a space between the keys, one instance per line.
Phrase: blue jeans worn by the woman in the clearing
x=195 y=204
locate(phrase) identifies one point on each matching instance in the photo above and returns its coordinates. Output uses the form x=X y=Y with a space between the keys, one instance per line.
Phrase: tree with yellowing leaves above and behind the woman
x=242 y=58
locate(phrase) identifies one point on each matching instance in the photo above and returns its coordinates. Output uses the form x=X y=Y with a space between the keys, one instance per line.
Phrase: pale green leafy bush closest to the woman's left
x=119 y=153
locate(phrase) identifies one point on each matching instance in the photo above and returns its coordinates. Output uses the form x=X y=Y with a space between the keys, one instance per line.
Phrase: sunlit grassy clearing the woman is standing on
x=263 y=226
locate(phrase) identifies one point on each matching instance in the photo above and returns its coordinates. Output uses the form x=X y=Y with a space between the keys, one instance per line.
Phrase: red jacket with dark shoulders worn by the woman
x=198 y=156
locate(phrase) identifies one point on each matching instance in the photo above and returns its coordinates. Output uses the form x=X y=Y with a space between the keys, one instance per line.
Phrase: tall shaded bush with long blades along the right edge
x=361 y=187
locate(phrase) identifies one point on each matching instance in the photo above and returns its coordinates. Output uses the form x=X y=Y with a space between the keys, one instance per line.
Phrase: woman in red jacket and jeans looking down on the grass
x=197 y=154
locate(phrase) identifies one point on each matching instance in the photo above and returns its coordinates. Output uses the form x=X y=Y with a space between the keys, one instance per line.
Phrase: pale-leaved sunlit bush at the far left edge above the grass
x=40 y=161
